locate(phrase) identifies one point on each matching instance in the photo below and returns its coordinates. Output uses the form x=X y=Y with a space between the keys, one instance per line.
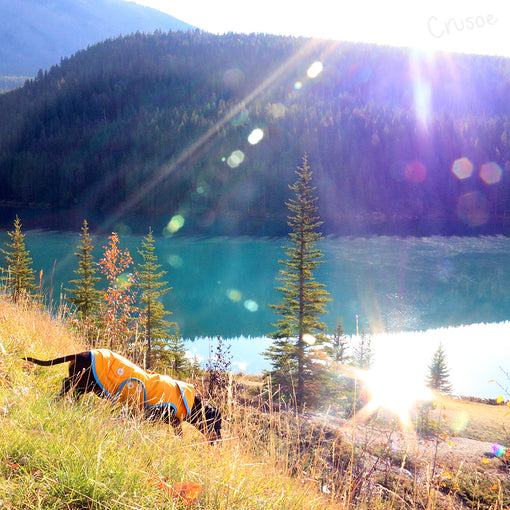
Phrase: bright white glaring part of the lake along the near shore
x=478 y=356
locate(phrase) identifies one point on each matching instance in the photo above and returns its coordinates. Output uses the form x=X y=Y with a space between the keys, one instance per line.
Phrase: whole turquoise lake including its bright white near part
x=411 y=293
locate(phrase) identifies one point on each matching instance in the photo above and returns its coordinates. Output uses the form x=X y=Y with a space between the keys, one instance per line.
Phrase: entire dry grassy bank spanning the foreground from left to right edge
x=88 y=454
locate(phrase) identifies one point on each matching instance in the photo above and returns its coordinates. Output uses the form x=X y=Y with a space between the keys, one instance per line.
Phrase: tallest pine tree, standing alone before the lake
x=299 y=327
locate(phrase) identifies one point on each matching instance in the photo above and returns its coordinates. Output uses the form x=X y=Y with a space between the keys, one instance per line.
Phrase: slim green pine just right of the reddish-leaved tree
x=156 y=327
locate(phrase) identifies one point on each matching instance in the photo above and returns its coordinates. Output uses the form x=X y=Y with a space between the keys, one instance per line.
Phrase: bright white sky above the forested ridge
x=452 y=25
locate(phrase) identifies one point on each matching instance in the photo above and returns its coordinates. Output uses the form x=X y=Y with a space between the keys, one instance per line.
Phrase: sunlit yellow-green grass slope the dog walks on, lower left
x=89 y=455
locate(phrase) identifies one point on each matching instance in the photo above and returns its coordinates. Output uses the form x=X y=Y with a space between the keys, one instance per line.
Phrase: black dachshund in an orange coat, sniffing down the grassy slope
x=110 y=375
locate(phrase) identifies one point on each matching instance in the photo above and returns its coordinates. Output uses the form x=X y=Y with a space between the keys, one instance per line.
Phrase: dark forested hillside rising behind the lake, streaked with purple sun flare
x=139 y=129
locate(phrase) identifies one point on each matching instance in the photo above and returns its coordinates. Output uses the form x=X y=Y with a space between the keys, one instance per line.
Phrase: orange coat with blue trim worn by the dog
x=122 y=380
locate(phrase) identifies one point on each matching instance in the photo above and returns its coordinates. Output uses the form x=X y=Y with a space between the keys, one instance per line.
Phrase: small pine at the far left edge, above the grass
x=20 y=275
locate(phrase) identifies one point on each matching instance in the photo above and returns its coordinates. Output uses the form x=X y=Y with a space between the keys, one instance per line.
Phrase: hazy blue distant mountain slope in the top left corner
x=36 y=34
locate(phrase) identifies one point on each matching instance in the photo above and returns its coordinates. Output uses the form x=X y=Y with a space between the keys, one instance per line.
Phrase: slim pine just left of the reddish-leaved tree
x=84 y=296
